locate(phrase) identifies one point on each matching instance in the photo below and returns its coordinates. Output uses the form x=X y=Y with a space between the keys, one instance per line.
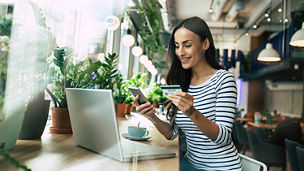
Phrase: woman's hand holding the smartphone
x=146 y=109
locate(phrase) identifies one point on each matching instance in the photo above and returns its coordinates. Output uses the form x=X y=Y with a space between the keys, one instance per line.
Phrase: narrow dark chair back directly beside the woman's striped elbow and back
x=241 y=135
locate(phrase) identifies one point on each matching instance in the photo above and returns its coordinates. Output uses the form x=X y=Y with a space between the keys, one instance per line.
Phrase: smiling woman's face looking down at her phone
x=188 y=48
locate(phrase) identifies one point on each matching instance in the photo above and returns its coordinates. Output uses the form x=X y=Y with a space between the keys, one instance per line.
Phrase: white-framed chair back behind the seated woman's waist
x=250 y=164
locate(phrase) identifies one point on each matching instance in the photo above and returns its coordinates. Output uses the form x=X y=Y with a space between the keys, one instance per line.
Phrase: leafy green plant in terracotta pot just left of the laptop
x=64 y=74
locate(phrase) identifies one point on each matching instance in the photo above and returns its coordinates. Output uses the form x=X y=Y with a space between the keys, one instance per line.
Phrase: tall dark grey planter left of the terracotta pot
x=35 y=118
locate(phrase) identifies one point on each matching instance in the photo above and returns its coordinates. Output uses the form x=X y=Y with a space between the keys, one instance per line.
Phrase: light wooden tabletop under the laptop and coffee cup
x=56 y=152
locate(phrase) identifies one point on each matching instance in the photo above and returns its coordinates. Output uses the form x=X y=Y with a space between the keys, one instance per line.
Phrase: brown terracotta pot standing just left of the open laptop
x=61 y=121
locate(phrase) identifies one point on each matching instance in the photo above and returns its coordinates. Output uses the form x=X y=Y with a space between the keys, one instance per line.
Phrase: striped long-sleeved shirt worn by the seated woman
x=216 y=100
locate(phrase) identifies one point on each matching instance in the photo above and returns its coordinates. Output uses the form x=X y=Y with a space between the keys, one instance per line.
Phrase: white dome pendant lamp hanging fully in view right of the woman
x=269 y=54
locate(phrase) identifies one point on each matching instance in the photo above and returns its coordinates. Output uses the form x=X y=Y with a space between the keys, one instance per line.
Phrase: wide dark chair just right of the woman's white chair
x=270 y=154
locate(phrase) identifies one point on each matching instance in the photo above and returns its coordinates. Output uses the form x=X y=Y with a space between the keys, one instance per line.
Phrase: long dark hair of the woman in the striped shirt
x=178 y=75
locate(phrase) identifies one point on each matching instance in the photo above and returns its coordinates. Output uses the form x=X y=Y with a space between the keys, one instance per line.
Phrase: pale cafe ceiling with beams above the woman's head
x=231 y=19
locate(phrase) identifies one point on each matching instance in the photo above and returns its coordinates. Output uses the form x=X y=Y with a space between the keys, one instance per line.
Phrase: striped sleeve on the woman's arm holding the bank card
x=226 y=96
